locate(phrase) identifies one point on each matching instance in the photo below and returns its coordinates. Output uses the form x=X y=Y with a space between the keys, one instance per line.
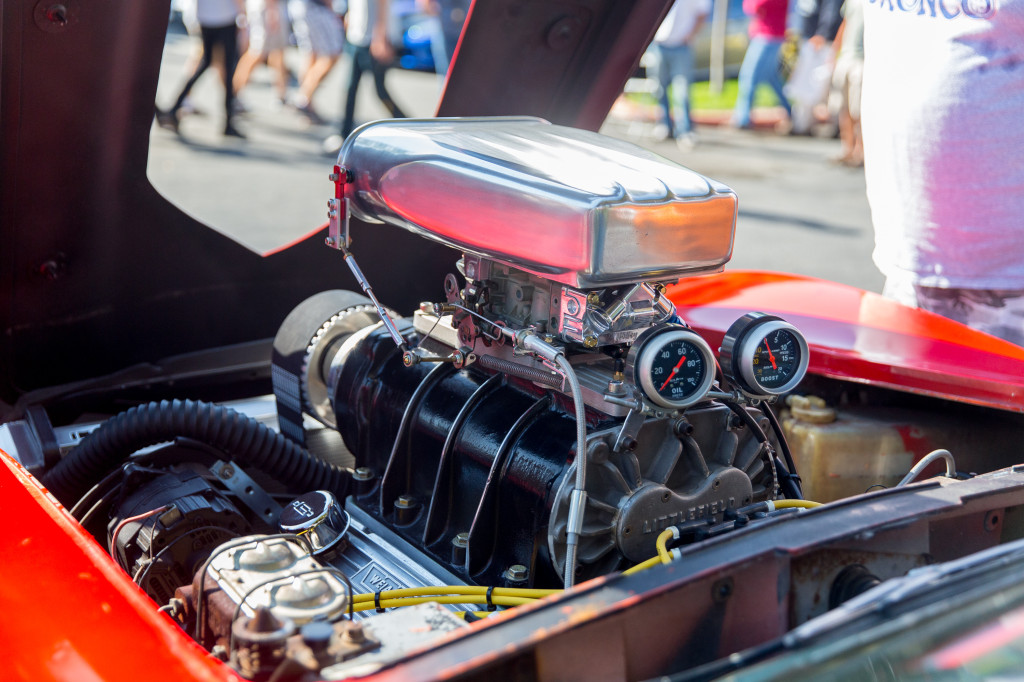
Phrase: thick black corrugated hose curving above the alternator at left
x=244 y=440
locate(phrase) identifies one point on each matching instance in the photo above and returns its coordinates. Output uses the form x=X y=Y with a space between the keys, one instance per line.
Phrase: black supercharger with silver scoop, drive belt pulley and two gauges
x=547 y=414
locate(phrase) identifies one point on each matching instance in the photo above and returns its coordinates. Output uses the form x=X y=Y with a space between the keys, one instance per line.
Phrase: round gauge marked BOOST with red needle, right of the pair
x=764 y=355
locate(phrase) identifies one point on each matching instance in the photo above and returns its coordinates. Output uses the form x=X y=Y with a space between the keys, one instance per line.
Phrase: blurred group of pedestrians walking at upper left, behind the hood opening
x=236 y=37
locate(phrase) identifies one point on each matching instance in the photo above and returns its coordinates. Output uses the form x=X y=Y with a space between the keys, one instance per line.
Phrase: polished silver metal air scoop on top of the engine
x=569 y=205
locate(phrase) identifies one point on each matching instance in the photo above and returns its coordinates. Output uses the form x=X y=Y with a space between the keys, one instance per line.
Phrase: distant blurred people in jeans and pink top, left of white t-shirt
x=825 y=66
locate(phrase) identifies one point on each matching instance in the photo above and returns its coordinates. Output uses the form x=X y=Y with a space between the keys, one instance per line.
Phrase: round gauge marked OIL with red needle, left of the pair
x=673 y=366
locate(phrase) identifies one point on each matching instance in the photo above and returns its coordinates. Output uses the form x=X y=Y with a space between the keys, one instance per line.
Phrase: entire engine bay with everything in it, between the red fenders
x=544 y=429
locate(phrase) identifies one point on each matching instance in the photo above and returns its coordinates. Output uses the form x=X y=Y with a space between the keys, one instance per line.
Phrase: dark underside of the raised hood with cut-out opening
x=101 y=273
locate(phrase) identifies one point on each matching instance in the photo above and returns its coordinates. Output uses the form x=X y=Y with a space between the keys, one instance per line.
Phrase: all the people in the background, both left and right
x=935 y=127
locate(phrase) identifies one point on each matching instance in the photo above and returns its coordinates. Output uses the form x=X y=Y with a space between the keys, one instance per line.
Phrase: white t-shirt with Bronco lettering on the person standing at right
x=944 y=130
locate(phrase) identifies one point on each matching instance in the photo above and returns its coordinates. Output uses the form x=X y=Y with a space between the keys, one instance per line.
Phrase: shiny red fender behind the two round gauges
x=862 y=337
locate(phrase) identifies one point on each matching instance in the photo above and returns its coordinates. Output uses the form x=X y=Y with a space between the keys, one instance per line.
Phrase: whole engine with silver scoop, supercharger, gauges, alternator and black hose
x=547 y=418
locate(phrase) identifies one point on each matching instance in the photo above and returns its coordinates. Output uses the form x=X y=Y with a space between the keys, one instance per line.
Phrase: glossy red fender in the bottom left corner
x=70 y=613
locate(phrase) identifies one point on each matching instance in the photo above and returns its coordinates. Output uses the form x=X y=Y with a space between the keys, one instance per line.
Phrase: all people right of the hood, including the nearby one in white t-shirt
x=930 y=109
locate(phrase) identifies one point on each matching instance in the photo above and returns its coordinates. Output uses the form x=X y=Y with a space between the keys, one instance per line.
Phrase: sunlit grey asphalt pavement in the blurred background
x=799 y=212
